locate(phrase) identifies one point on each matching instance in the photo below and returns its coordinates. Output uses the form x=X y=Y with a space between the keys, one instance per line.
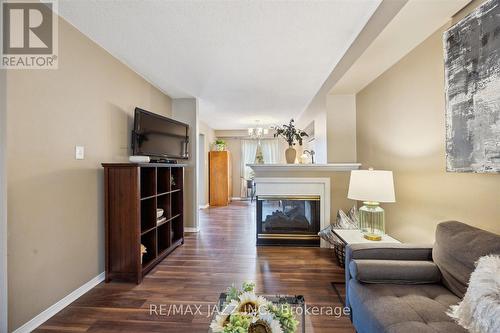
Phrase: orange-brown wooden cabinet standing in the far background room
x=221 y=186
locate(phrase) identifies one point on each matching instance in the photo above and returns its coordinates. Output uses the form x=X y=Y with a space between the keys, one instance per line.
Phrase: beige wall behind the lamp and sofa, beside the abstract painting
x=400 y=127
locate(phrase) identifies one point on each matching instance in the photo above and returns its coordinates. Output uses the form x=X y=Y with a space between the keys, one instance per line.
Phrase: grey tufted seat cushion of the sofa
x=401 y=308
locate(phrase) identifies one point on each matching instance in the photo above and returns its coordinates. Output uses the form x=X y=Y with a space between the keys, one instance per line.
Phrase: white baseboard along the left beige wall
x=55 y=308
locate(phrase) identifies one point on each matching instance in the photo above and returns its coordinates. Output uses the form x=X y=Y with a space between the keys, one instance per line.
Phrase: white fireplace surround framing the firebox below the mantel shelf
x=285 y=186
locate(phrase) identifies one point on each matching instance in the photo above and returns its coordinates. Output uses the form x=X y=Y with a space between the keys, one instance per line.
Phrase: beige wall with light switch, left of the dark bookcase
x=55 y=203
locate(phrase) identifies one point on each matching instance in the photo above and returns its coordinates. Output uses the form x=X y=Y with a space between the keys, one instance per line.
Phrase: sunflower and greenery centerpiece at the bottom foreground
x=243 y=311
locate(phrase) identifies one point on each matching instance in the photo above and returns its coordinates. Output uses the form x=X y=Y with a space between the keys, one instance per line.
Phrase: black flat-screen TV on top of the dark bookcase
x=158 y=136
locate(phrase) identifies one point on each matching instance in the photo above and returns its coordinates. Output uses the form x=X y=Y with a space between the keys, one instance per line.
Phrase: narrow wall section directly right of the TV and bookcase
x=186 y=110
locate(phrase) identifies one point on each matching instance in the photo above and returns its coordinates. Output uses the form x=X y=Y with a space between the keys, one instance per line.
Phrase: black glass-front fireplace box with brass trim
x=290 y=220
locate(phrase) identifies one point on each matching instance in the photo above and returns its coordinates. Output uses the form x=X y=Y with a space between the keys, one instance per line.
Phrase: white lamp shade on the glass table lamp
x=371 y=185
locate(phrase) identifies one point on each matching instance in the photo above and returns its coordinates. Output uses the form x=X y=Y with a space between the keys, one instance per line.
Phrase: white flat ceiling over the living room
x=246 y=60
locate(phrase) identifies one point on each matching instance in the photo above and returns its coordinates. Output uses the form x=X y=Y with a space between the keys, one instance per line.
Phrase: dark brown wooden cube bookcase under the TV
x=133 y=193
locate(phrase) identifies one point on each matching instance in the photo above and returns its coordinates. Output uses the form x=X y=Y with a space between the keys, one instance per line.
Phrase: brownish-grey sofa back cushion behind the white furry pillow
x=458 y=246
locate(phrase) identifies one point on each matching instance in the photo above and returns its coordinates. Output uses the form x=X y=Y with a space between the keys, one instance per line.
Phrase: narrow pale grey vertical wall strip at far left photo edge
x=3 y=206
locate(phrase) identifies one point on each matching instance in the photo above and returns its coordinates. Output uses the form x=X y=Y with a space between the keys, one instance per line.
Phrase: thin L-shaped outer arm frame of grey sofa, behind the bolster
x=383 y=251
